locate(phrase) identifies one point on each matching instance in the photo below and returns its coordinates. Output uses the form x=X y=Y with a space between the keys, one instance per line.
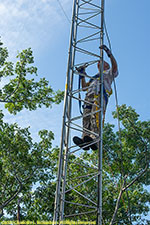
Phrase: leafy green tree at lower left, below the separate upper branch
x=24 y=166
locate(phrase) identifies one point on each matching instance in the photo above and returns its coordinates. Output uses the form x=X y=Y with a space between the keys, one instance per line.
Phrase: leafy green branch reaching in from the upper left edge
x=22 y=90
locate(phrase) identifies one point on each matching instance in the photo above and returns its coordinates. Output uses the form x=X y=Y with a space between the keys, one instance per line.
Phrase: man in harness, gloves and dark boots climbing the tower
x=91 y=104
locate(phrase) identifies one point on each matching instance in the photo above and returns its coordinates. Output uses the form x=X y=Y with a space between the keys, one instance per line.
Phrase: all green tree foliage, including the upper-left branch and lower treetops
x=29 y=169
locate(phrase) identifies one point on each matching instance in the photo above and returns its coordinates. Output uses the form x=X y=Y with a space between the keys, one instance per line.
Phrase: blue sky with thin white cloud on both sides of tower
x=41 y=25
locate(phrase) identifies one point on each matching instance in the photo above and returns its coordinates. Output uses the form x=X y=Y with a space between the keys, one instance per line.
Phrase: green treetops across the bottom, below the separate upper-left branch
x=35 y=165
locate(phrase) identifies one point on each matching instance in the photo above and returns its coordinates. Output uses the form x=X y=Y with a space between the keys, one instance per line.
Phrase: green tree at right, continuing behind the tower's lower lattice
x=126 y=173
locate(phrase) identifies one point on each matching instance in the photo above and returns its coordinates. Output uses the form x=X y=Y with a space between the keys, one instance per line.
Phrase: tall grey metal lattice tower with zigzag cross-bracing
x=86 y=37
